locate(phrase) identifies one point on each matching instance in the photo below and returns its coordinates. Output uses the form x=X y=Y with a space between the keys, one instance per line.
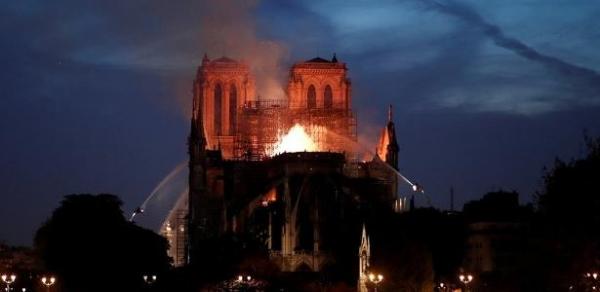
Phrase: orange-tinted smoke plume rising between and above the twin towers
x=228 y=28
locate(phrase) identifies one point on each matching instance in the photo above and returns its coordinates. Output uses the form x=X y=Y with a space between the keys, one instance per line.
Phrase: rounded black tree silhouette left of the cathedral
x=90 y=246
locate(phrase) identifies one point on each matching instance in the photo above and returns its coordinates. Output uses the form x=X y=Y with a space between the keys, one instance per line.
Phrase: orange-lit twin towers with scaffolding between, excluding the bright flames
x=243 y=125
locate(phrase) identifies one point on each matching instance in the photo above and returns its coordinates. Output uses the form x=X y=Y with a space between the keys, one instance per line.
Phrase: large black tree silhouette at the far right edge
x=569 y=221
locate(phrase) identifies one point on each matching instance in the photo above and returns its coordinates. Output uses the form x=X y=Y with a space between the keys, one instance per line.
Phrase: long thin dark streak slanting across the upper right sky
x=577 y=74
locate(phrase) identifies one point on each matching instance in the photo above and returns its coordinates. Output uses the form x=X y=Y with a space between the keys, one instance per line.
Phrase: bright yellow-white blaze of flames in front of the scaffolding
x=296 y=140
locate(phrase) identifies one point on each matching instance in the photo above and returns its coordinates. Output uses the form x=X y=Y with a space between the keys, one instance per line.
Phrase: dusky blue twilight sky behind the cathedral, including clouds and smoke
x=94 y=95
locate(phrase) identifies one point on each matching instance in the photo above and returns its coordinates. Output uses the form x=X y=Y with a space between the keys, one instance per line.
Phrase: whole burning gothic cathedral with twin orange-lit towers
x=286 y=170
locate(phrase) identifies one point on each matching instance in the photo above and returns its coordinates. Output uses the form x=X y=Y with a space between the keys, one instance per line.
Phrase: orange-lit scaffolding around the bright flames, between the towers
x=261 y=123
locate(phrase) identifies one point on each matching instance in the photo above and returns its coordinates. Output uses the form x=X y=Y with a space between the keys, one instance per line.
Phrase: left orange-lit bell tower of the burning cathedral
x=222 y=87
